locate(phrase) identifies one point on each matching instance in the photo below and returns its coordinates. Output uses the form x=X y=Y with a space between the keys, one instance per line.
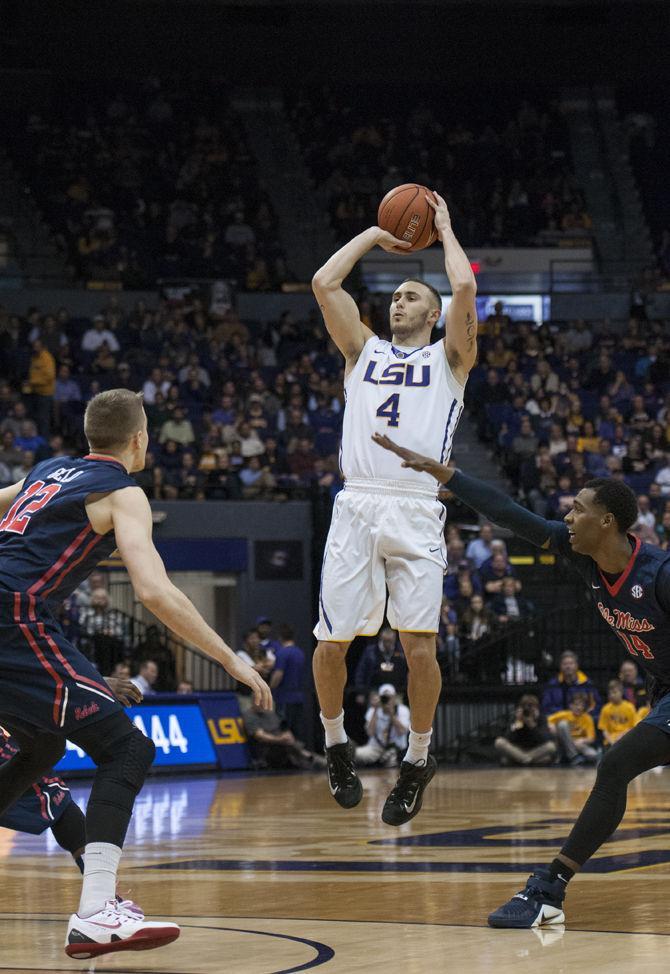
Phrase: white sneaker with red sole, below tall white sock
x=112 y=929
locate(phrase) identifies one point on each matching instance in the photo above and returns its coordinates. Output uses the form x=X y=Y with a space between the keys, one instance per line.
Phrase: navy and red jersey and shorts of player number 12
x=47 y=548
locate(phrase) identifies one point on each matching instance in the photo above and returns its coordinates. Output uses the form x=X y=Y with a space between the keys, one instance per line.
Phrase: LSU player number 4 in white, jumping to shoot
x=387 y=529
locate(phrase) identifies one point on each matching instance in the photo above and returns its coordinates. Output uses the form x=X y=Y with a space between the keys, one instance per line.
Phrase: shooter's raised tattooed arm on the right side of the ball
x=460 y=339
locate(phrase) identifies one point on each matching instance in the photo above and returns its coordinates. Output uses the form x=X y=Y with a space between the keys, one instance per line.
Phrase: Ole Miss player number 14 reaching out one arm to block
x=630 y=585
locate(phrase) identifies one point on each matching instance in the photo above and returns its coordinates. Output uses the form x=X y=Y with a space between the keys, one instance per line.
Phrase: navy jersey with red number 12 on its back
x=47 y=544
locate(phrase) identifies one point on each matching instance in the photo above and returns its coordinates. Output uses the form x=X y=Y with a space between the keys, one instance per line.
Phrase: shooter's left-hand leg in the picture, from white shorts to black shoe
x=352 y=599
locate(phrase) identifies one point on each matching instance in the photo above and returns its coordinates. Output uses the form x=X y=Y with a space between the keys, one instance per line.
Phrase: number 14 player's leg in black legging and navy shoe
x=642 y=748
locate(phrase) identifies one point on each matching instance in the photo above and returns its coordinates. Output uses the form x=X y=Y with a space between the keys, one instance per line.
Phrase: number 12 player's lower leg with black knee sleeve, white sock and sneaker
x=123 y=756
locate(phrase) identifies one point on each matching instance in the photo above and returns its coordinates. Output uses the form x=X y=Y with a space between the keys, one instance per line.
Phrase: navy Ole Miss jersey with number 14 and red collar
x=629 y=602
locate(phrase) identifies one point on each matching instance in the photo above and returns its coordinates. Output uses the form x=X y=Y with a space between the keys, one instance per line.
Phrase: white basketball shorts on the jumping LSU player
x=383 y=534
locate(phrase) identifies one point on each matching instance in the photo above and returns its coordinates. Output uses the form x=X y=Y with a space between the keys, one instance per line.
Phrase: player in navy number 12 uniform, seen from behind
x=67 y=515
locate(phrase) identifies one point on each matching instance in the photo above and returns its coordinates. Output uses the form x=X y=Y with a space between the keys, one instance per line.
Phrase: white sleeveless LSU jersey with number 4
x=412 y=396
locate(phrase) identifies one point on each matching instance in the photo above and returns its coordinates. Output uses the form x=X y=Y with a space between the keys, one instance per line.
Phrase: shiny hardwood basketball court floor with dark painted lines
x=268 y=876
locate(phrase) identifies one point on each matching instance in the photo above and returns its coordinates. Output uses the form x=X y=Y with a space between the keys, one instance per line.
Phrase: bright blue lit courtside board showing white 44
x=178 y=731
